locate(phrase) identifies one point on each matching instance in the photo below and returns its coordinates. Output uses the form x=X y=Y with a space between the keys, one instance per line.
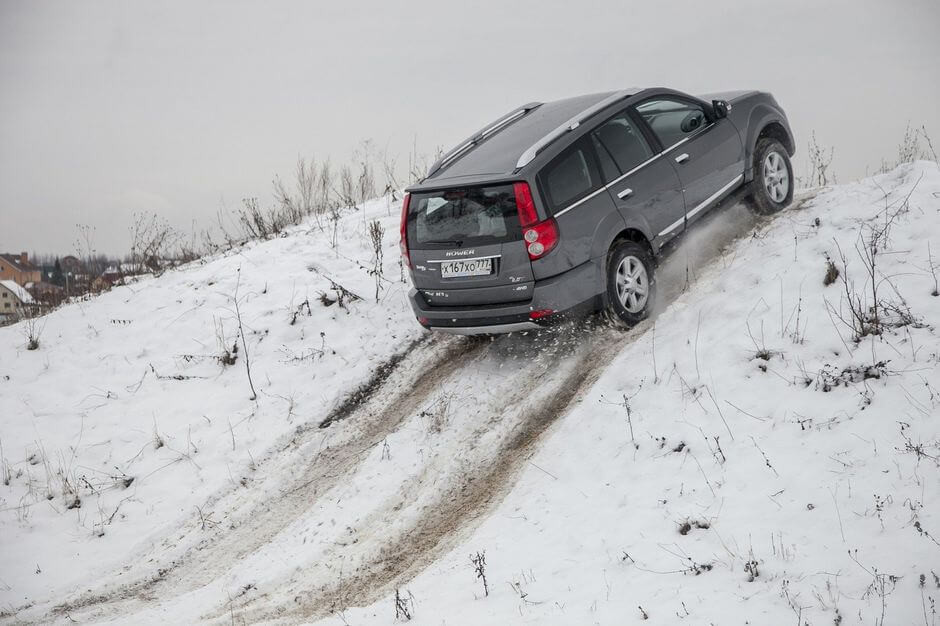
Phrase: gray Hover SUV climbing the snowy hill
x=564 y=206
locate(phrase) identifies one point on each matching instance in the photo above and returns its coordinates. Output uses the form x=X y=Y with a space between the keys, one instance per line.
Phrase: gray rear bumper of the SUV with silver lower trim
x=573 y=292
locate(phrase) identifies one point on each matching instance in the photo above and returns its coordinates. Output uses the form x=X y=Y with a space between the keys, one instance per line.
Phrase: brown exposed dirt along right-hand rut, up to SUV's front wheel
x=579 y=354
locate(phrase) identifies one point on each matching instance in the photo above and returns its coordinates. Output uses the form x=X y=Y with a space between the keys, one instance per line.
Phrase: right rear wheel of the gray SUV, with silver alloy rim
x=631 y=283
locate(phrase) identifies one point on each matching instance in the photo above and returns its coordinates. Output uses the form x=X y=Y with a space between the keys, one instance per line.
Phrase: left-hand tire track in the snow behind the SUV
x=252 y=516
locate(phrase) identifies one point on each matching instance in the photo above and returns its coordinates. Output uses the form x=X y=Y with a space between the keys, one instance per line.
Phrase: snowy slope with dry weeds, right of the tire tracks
x=744 y=461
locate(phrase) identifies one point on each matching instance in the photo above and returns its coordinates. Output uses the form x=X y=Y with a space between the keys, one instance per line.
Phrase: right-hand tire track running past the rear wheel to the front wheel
x=379 y=566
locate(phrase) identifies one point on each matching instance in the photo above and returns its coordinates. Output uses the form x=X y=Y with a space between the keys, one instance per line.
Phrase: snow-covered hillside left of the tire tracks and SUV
x=127 y=409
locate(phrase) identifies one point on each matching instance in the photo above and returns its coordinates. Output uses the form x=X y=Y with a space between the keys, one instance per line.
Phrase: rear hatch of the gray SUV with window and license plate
x=466 y=246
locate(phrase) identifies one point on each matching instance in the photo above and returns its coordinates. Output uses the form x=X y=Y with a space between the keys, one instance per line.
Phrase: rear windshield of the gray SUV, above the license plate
x=463 y=216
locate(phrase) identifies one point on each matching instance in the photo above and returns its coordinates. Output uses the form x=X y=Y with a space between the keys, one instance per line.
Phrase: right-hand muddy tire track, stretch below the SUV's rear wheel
x=458 y=505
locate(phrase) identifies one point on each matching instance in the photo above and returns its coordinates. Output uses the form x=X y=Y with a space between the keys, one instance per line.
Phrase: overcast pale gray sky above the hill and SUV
x=107 y=108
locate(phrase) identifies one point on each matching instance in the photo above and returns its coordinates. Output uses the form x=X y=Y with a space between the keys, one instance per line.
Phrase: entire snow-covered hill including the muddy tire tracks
x=739 y=459
